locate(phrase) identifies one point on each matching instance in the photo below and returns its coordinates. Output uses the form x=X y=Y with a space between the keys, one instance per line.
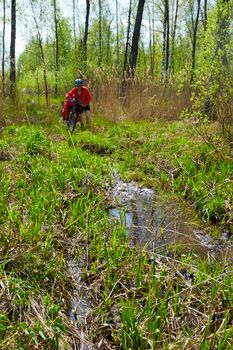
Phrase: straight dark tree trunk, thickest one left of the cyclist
x=12 y=49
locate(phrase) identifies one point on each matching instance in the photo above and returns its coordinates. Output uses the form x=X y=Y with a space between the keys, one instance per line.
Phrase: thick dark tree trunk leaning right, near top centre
x=136 y=36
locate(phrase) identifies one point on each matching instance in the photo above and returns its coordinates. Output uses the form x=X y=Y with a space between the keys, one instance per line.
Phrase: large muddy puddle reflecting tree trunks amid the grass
x=161 y=227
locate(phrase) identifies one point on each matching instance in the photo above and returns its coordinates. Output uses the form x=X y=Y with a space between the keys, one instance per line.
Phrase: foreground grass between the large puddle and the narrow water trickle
x=145 y=301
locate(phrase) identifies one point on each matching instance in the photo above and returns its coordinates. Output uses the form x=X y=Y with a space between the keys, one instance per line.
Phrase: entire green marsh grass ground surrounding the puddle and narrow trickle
x=53 y=201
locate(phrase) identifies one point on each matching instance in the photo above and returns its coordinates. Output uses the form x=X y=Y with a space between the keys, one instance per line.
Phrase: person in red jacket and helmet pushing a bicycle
x=82 y=95
